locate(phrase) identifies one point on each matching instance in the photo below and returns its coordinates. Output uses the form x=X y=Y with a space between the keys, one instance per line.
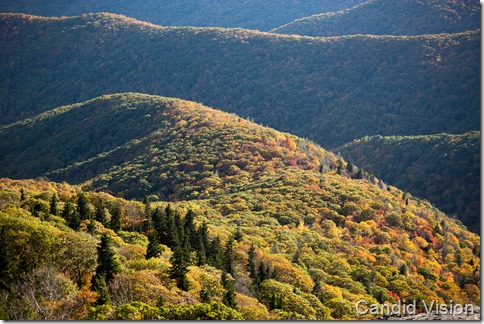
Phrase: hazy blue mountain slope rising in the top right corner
x=389 y=17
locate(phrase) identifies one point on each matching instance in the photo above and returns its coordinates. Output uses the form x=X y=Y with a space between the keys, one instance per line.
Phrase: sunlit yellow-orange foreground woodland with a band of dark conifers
x=295 y=244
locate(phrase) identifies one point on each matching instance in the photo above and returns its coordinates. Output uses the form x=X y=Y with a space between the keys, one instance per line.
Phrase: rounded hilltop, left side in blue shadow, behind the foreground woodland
x=134 y=145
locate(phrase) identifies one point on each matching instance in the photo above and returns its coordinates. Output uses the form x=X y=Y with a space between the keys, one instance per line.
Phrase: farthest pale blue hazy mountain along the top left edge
x=250 y=14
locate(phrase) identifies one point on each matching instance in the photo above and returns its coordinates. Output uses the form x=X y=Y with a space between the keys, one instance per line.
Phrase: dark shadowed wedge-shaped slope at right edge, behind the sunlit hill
x=445 y=169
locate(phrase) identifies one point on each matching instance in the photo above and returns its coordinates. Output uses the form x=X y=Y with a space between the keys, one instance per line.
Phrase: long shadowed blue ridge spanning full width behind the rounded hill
x=329 y=90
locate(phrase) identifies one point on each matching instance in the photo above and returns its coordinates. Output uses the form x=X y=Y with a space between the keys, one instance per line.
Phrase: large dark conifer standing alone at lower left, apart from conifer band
x=107 y=267
